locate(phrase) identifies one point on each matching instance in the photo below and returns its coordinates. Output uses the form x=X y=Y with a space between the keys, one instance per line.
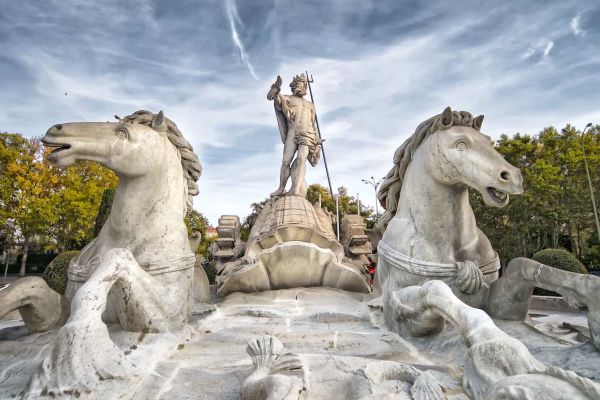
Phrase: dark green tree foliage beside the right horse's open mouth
x=555 y=210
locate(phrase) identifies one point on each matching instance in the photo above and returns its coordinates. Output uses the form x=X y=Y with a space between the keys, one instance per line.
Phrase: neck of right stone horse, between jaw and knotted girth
x=439 y=215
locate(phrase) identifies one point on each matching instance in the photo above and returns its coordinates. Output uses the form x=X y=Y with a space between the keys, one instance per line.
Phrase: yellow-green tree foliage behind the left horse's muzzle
x=42 y=206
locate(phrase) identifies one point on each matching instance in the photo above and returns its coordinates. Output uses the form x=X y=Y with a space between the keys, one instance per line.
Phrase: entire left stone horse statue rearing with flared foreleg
x=137 y=272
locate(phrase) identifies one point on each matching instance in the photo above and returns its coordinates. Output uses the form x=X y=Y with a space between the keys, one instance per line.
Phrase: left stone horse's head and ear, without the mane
x=129 y=149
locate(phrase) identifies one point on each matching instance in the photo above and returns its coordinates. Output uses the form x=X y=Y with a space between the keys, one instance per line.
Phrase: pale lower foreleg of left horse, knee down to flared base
x=83 y=354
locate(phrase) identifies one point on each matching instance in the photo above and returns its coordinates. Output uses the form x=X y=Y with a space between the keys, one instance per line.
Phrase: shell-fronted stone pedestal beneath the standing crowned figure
x=292 y=244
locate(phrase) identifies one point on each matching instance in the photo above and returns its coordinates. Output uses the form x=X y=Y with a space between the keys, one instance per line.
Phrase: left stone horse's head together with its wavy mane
x=134 y=146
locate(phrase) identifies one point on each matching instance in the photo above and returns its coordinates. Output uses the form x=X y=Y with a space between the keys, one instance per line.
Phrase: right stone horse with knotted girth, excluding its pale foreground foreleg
x=431 y=232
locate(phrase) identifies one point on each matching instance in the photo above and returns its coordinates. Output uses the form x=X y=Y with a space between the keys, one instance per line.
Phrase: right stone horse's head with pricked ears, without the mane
x=460 y=154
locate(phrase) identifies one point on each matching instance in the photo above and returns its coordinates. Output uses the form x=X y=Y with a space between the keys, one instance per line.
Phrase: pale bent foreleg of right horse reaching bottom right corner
x=497 y=365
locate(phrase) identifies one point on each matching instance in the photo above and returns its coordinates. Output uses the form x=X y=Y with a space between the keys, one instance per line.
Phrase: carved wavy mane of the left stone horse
x=192 y=169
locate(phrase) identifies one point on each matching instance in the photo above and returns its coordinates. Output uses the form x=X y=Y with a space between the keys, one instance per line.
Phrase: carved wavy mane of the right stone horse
x=389 y=192
